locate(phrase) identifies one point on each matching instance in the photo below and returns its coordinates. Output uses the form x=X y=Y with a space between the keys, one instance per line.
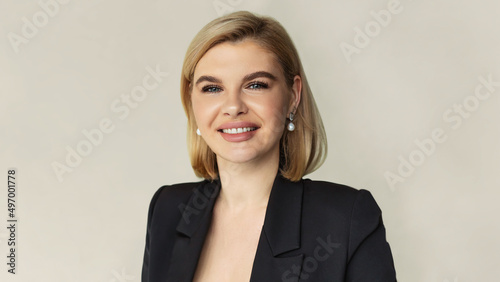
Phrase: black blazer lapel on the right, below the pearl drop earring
x=280 y=234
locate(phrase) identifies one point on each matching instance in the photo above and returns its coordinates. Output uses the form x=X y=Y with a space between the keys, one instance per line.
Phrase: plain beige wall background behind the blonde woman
x=441 y=220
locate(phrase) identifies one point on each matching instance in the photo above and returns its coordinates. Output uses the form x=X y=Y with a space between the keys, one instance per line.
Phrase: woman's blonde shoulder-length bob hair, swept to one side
x=303 y=150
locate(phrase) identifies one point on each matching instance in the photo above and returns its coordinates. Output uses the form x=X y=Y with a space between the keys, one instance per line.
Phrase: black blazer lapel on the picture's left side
x=192 y=230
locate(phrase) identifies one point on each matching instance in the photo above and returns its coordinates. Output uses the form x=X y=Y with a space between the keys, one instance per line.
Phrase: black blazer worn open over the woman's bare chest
x=318 y=231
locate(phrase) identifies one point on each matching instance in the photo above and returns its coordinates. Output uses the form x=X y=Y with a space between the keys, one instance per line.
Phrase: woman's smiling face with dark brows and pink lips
x=240 y=101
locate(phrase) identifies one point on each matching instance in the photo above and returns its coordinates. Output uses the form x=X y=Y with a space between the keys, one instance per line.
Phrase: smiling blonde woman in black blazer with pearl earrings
x=253 y=132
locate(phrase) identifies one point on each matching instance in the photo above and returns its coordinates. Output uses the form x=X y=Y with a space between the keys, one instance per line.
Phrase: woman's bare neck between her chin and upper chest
x=246 y=186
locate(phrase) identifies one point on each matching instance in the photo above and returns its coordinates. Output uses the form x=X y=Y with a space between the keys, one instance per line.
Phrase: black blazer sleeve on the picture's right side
x=369 y=254
